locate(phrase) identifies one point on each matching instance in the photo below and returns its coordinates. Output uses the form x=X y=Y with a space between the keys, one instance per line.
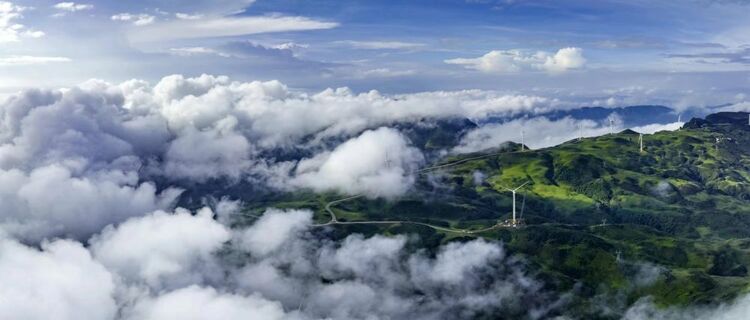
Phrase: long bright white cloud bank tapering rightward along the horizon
x=271 y=115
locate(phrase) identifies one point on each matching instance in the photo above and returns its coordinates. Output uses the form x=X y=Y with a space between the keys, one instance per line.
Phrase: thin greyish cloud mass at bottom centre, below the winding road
x=378 y=277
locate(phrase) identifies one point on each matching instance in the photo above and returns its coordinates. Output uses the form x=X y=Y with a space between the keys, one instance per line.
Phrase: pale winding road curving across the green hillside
x=335 y=221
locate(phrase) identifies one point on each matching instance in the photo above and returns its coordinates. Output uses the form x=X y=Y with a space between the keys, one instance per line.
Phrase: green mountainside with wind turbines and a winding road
x=603 y=220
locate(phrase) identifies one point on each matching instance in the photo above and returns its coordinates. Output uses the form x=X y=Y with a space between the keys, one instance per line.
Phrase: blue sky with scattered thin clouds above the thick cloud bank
x=689 y=52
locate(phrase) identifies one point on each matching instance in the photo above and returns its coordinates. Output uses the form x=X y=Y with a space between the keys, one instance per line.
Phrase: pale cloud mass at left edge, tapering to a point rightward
x=50 y=201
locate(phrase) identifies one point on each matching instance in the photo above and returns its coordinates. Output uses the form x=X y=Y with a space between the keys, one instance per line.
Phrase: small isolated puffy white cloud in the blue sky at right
x=514 y=61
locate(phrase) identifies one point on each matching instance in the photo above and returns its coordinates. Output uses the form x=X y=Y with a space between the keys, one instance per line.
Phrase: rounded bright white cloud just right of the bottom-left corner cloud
x=161 y=249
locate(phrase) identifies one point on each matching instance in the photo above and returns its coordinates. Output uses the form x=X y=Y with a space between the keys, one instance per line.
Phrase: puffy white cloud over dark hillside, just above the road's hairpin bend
x=378 y=163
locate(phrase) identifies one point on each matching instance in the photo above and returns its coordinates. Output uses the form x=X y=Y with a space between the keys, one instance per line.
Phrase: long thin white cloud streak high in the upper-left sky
x=225 y=27
